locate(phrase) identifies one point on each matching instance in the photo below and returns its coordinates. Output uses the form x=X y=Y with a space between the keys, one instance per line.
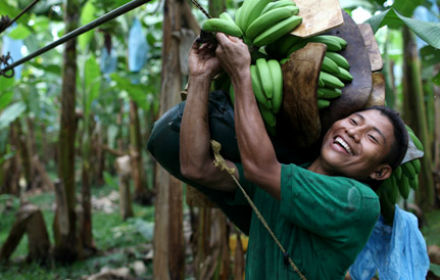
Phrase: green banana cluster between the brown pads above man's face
x=334 y=69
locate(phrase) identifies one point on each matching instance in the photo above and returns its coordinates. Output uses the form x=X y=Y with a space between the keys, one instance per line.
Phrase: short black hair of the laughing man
x=400 y=145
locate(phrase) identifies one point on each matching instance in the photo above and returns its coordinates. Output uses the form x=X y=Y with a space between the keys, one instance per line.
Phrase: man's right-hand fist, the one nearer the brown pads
x=233 y=54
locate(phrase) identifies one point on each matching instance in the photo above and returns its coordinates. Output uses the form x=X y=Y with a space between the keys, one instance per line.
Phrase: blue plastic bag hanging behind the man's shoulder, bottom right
x=397 y=252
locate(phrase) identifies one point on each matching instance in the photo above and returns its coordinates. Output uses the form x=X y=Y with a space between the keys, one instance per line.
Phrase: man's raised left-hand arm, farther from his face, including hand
x=195 y=157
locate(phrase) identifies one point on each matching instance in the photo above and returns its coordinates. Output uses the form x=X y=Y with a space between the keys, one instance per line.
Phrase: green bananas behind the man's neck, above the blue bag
x=403 y=179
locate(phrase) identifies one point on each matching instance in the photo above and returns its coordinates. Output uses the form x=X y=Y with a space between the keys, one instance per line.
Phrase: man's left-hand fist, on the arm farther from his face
x=202 y=61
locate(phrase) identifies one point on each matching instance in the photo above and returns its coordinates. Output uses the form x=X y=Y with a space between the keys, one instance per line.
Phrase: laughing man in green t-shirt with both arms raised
x=321 y=216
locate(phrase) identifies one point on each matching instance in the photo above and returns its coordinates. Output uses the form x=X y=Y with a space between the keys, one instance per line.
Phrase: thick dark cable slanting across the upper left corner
x=75 y=33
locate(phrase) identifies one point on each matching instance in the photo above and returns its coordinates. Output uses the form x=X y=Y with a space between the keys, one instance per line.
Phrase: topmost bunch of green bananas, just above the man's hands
x=258 y=22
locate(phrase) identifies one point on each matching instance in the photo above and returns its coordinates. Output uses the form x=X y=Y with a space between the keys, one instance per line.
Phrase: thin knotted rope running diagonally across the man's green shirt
x=220 y=163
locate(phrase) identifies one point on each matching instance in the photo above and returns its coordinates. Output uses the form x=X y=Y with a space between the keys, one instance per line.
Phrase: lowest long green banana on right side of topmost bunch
x=277 y=31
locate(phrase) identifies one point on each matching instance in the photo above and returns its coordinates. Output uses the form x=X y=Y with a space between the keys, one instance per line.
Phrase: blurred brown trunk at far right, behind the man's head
x=415 y=116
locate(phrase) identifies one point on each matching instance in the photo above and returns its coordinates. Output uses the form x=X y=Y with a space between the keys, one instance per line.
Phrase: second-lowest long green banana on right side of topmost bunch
x=267 y=20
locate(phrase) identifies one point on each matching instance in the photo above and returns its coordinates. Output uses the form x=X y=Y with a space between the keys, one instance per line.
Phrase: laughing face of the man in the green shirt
x=357 y=145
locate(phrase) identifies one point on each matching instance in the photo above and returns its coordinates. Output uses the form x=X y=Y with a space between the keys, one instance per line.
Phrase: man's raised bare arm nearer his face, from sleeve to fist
x=256 y=150
